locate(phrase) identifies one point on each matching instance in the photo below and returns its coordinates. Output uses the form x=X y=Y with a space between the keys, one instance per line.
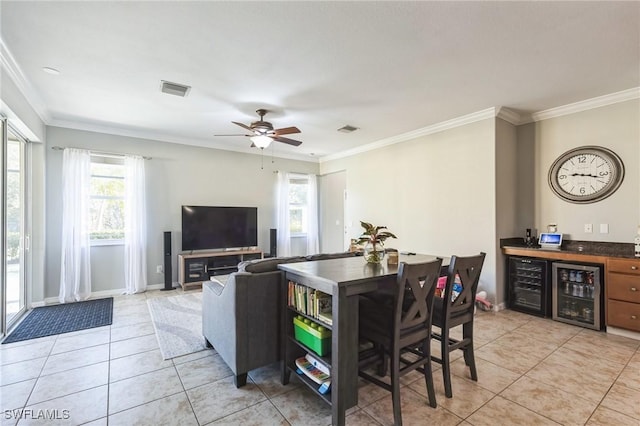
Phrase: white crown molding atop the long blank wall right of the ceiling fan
x=435 y=128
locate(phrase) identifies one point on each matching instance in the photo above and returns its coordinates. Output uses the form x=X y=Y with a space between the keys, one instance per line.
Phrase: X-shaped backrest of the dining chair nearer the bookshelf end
x=416 y=286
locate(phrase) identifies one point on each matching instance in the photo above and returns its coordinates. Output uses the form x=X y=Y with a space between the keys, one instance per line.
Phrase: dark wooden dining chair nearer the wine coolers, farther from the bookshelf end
x=454 y=308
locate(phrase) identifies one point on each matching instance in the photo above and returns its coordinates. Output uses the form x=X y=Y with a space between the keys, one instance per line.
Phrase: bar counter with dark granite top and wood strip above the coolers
x=580 y=251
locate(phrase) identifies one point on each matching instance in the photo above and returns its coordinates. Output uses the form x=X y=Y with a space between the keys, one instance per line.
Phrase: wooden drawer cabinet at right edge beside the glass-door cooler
x=623 y=293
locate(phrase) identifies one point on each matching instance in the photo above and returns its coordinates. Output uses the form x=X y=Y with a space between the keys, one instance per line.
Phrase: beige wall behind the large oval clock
x=616 y=127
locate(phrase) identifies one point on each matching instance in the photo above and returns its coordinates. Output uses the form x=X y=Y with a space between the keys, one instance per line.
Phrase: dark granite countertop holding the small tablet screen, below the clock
x=593 y=248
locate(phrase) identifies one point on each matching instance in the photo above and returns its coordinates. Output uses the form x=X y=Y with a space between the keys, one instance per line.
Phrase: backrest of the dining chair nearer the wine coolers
x=464 y=271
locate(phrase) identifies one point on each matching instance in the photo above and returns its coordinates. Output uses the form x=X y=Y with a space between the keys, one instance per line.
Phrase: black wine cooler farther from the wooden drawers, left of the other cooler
x=528 y=286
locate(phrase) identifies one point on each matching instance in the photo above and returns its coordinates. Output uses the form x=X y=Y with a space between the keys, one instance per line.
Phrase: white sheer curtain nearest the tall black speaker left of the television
x=135 y=223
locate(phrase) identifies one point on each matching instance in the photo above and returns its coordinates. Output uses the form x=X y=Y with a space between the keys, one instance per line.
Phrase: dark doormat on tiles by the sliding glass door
x=64 y=318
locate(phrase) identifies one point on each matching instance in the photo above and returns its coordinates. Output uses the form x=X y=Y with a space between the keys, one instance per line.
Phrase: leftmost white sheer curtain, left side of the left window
x=75 y=266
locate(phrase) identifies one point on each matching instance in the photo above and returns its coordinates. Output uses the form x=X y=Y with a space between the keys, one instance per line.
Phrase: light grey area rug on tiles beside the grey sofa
x=178 y=324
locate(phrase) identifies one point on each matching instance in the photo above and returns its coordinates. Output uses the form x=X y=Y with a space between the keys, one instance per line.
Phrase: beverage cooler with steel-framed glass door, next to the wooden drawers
x=577 y=294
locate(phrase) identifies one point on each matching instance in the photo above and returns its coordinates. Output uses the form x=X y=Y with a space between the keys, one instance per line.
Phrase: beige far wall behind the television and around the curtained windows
x=177 y=175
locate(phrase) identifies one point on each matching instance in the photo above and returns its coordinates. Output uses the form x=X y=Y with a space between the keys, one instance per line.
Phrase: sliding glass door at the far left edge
x=13 y=229
